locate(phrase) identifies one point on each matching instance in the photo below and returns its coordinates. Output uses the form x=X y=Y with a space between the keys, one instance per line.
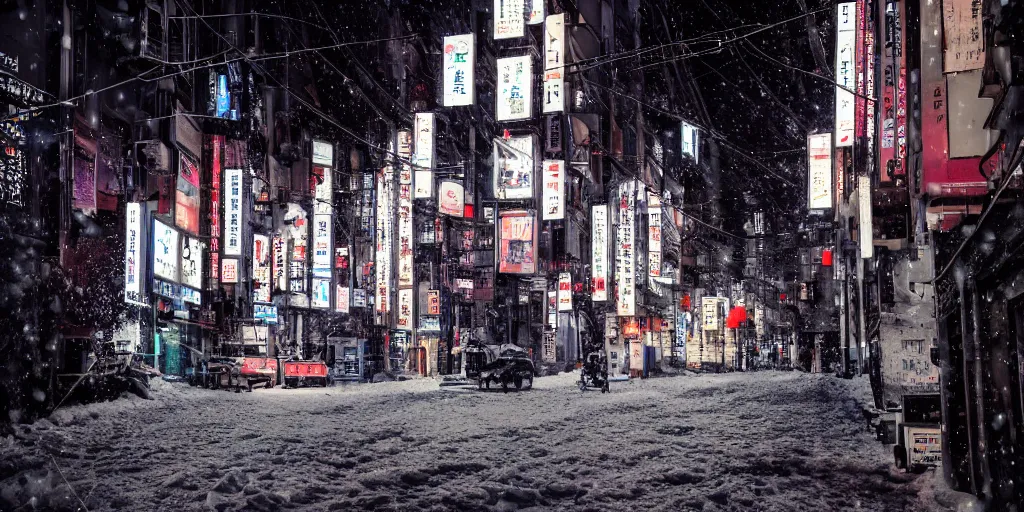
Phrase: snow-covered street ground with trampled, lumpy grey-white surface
x=773 y=442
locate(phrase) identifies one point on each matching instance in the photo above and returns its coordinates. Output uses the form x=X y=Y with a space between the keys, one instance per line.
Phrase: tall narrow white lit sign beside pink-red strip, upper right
x=846 y=76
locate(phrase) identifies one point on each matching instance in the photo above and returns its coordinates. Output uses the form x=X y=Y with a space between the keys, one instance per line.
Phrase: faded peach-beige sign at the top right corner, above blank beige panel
x=964 y=34
